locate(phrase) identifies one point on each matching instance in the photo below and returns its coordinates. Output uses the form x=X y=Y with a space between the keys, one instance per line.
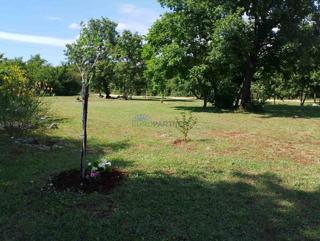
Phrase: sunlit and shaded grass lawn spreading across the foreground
x=241 y=177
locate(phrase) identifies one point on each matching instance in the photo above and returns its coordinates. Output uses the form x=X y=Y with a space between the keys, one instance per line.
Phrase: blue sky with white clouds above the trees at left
x=30 y=27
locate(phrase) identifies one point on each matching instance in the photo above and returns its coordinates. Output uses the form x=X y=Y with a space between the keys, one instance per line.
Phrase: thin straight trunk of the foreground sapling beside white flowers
x=85 y=98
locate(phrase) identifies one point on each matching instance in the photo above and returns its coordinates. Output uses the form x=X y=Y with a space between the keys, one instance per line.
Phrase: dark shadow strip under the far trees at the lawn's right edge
x=287 y=111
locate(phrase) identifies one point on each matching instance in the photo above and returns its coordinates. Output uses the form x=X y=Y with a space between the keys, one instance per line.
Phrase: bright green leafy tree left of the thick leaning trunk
x=182 y=45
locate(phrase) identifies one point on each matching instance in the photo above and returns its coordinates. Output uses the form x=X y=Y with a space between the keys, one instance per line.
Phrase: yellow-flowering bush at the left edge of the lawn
x=18 y=103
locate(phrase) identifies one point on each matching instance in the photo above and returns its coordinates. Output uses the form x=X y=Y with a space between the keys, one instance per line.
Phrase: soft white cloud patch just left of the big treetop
x=136 y=18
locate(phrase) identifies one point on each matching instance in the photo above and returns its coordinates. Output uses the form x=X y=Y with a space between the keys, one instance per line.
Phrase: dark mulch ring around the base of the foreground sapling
x=71 y=181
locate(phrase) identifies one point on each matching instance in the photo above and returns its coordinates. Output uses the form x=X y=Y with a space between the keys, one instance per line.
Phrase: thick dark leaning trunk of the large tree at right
x=246 y=87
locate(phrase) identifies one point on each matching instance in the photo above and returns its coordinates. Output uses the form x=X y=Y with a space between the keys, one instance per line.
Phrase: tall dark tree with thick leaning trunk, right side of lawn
x=273 y=23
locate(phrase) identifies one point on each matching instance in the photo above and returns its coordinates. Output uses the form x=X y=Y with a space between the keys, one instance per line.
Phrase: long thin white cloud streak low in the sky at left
x=35 y=39
